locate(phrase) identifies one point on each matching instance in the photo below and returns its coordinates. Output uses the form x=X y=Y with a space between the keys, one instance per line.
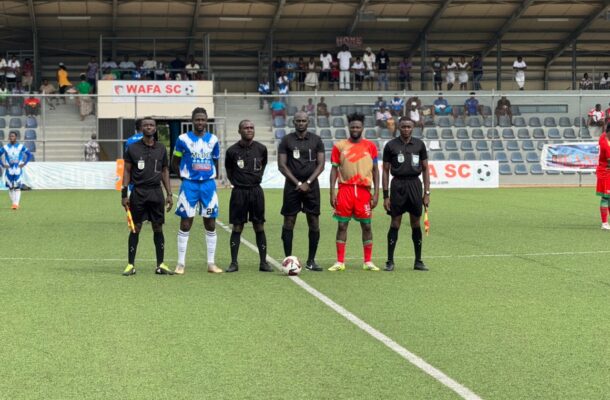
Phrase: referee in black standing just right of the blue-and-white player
x=245 y=164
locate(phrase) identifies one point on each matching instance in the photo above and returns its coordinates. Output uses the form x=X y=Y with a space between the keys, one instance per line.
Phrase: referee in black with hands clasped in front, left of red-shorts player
x=301 y=161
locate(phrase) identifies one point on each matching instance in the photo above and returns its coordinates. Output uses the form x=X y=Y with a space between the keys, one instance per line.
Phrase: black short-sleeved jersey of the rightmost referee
x=405 y=159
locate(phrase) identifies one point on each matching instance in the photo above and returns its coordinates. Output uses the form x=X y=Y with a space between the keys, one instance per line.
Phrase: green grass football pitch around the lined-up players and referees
x=514 y=306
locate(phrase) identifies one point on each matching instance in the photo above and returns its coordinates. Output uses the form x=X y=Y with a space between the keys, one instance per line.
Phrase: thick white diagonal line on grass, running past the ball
x=417 y=361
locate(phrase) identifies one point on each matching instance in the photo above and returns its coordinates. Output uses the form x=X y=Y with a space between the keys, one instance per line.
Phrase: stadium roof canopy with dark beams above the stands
x=529 y=27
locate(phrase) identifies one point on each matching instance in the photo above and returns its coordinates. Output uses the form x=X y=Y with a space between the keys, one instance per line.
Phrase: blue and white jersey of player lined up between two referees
x=198 y=154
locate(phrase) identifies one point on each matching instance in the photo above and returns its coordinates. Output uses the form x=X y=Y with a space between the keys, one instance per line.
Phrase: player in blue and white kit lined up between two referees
x=195 y=157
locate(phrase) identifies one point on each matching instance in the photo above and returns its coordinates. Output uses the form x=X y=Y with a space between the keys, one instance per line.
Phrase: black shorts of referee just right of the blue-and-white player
x=247 y=204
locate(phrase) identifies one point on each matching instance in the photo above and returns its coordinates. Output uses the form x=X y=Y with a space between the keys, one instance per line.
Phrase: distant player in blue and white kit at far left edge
x=13 y=157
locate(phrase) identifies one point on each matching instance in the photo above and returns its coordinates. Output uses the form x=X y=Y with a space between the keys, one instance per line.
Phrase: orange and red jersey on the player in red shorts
x=355 y=161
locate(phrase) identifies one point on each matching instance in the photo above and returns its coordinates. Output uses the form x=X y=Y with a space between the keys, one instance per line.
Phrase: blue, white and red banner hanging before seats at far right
x=570 y=156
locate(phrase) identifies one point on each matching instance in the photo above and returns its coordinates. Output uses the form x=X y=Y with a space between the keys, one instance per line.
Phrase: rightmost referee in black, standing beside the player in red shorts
x=405 y=157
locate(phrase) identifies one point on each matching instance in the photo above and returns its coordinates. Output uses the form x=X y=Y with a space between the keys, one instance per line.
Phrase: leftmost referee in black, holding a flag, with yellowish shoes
x=146 y=167
